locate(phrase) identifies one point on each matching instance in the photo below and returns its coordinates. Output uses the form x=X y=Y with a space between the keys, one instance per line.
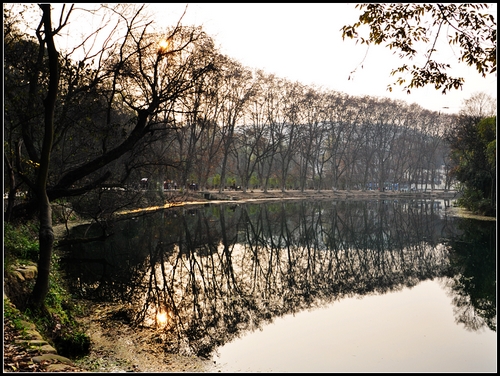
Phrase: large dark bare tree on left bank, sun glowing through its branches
x=136 y=77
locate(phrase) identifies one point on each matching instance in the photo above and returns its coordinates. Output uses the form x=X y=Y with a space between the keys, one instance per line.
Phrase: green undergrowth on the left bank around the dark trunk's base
x=56 y=321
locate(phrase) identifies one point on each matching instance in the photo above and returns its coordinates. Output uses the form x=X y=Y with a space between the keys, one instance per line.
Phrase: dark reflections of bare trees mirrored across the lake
x=218 y=271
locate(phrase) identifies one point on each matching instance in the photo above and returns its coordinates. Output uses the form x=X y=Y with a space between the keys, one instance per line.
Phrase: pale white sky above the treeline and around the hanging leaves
x=303 y=42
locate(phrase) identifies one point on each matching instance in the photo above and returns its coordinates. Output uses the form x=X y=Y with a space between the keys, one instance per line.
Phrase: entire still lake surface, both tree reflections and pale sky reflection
x=324 y=286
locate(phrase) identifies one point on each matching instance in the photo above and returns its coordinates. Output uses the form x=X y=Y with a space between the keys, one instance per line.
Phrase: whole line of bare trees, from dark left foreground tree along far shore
x=168 y=105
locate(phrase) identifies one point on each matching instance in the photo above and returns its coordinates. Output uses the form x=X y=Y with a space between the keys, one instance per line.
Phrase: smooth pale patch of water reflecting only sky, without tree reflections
x=412 y=330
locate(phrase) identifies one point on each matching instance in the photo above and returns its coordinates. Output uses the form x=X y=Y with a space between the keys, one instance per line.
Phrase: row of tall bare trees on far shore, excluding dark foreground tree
x=282 y=134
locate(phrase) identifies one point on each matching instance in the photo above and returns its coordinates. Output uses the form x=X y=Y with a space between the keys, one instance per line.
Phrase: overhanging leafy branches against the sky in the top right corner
x=402 y=27
